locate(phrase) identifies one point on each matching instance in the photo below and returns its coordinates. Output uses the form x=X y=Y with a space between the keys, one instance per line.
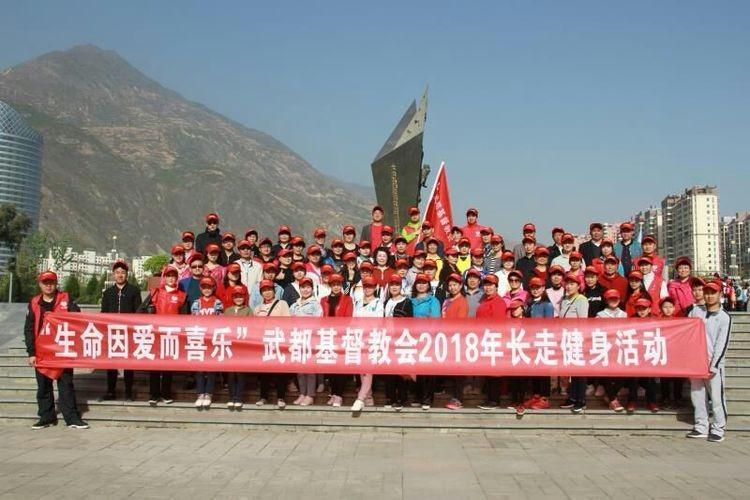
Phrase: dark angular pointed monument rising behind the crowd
x=397 y=170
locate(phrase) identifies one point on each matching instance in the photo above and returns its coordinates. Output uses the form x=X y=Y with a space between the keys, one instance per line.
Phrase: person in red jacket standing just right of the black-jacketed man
x=167 y=299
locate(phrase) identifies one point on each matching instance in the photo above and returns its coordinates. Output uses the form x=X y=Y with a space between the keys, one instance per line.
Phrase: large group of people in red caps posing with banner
x=385 y=273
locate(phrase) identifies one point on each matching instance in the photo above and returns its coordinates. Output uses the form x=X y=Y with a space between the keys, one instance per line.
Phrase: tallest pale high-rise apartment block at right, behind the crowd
x=691 y=228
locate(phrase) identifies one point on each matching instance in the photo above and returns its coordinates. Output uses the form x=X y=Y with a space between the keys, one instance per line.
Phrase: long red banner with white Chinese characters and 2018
x=591 y=347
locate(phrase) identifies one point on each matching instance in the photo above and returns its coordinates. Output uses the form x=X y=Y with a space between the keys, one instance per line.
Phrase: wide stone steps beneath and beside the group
x=18 y=403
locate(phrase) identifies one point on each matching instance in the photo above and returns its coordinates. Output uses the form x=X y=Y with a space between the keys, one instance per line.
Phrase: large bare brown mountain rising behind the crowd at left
x=125 y=156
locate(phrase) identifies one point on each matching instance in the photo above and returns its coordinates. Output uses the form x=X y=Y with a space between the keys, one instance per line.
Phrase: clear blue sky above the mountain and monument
x=546 y=111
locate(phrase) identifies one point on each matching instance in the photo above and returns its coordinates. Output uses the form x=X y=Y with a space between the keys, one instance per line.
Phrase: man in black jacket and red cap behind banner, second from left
x=122 y=297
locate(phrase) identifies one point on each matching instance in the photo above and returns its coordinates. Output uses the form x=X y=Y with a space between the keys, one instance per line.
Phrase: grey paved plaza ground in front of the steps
x=192 y=463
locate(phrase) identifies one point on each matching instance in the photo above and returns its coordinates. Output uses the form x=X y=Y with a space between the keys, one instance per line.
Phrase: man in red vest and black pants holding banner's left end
x=51 y=300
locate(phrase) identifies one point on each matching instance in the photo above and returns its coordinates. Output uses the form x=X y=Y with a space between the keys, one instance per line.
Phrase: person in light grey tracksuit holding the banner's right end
x=718 y=325
